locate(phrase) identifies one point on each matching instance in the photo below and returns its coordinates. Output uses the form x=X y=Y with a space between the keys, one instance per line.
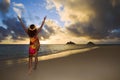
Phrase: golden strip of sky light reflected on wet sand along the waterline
x=51 y=56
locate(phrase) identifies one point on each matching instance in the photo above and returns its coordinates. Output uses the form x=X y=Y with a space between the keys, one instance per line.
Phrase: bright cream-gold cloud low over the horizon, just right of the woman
x=58 y=35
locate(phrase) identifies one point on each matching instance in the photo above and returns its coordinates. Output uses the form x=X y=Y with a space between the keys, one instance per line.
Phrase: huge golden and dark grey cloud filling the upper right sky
x=95 y=19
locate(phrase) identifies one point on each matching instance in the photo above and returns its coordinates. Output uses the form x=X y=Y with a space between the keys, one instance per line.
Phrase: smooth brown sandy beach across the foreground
x=101 y=63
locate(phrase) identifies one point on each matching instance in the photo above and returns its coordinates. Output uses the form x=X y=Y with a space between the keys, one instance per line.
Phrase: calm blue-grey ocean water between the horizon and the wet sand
x=16 y=51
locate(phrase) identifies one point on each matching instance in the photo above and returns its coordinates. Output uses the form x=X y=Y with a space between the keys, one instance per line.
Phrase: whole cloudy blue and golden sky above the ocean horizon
x=79 y=21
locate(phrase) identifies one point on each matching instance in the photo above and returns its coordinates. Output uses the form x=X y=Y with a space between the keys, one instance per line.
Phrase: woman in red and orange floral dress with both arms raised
x=34 y=46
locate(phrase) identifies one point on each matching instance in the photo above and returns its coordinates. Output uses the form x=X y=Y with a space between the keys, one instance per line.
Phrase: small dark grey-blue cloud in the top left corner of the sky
x=4 y=6
